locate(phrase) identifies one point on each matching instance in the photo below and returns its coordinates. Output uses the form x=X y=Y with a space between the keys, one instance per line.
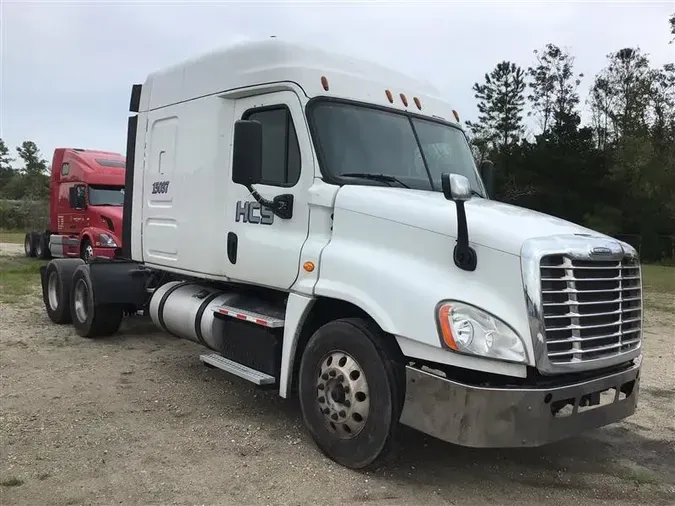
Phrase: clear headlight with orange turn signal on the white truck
x=467 y=329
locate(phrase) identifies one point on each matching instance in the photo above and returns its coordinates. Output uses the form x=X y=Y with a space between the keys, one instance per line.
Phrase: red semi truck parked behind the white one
x=86 y=193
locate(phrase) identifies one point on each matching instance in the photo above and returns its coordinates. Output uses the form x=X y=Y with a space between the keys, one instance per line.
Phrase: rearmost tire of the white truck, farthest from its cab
x=56 y=288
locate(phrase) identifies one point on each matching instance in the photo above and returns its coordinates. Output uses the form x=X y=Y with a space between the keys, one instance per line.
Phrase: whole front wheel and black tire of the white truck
x=351 y=391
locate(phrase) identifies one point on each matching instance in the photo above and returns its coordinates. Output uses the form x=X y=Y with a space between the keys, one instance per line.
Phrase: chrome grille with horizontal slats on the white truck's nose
x=592 y=309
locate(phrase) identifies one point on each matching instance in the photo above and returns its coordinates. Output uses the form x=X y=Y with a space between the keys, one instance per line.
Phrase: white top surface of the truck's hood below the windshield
x=491 y=224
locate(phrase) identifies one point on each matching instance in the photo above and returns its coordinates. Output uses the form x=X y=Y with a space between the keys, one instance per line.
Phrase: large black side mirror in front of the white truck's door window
x=247 y=152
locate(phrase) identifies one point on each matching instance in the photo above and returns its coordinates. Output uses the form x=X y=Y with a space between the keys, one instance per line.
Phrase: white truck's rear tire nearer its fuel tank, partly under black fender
x=91 y=320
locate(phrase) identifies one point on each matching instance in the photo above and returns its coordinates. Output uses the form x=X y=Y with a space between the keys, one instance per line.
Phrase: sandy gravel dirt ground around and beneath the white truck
x=138 y=419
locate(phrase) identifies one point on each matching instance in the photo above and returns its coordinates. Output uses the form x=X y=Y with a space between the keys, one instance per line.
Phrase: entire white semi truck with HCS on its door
x=318 y=222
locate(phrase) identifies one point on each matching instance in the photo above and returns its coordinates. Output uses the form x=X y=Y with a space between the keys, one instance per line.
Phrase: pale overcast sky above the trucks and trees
x=67 y=66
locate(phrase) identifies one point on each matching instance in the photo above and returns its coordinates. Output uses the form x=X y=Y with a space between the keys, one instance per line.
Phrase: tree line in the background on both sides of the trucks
x=615 y=172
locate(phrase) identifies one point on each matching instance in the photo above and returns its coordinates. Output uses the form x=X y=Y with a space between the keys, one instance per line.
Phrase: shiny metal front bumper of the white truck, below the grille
x=515 y=417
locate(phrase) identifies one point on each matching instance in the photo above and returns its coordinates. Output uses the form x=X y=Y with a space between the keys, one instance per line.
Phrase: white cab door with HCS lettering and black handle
x=262 y=248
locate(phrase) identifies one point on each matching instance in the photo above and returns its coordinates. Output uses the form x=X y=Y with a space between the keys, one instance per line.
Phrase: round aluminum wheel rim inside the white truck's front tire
x=342 y=394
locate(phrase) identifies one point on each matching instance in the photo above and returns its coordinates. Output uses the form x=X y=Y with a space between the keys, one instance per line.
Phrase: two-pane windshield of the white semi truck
x=359 y=139
